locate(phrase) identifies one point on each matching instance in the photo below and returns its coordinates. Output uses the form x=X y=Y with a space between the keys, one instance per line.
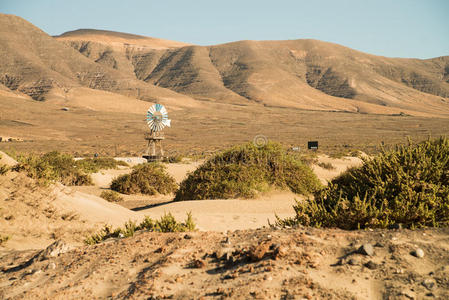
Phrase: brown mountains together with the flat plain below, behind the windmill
x=94 y=87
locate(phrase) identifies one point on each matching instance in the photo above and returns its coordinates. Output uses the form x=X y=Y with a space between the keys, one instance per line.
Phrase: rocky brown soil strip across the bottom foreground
x=300 y=263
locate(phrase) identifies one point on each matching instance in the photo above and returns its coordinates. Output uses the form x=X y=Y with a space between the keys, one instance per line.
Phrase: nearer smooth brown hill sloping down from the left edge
x=35 y=64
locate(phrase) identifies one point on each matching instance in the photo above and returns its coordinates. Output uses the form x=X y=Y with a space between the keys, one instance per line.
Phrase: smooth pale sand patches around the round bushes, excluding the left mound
x=217 y=215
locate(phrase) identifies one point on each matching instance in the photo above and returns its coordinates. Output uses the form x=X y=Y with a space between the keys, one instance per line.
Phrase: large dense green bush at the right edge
x=408 y=185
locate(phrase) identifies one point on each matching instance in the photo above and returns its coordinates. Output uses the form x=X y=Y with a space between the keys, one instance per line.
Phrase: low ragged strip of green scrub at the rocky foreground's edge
x=167 y=223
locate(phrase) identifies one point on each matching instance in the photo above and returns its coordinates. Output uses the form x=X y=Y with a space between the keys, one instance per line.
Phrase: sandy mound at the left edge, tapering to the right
x=34 y=216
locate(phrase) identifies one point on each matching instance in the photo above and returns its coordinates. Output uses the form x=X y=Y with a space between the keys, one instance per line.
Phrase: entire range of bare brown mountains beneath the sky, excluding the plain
x=303 y=73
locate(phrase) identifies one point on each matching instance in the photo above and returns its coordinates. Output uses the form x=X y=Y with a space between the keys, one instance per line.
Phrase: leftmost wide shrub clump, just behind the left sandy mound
x=53 y=166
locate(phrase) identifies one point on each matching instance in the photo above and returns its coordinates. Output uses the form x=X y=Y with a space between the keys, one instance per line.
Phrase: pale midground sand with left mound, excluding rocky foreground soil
x=33 y=217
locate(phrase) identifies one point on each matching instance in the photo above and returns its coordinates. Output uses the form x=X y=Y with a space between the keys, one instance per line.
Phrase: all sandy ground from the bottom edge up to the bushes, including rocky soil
x=227 y=259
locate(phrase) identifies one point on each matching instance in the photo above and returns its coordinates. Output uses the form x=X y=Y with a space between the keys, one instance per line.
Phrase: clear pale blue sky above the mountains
x=395 y=28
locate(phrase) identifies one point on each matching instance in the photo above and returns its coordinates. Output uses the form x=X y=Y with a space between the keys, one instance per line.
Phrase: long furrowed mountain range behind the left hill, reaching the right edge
x=306 y=74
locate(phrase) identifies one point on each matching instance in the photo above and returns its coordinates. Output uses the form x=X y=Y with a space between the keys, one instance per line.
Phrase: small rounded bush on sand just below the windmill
x=150 y=179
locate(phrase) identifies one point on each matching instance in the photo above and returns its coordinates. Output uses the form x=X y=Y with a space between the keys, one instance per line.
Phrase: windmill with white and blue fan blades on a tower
x=157 y=119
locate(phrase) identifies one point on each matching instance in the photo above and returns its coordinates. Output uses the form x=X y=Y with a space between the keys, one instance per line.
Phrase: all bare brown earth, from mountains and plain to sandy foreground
x=93 y=89
